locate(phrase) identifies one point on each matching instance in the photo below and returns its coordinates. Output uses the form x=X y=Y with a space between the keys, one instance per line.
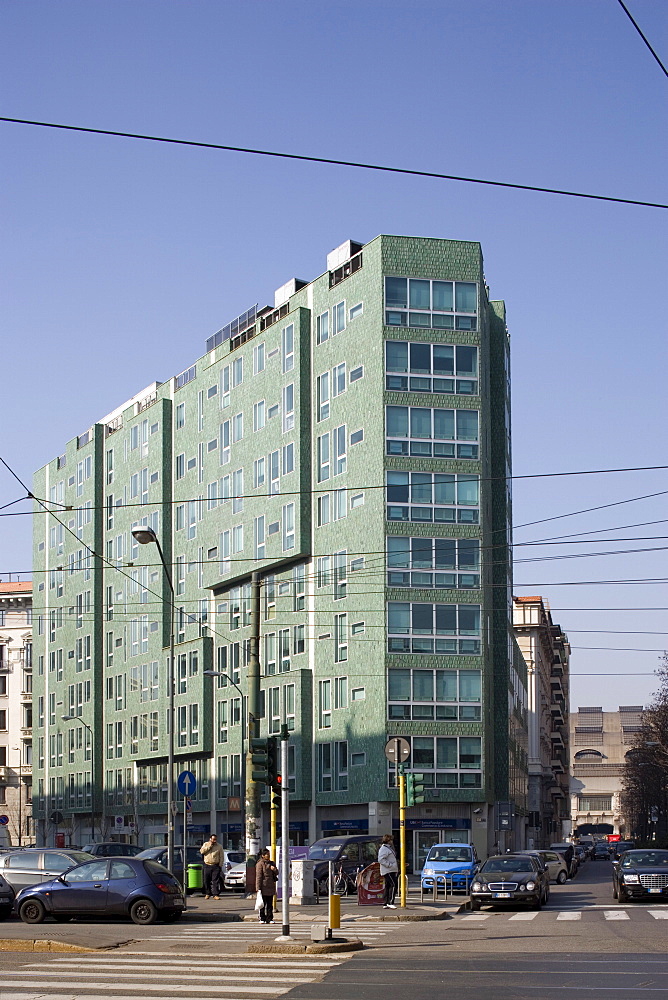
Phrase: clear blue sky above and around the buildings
x=120 y=257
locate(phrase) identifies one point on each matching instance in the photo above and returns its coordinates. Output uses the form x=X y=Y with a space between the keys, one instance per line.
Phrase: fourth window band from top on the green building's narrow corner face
x=441 y=498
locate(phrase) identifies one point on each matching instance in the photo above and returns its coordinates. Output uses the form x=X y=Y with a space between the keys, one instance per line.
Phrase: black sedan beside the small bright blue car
x=510 y=878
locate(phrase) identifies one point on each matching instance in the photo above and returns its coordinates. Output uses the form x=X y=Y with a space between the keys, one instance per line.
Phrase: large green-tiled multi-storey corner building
x=352 y=443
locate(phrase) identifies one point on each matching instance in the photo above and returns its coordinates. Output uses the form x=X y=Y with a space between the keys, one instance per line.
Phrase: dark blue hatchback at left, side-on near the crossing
x=103 y=887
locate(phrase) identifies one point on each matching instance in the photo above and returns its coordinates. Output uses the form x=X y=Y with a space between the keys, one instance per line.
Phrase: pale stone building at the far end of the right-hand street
x=600 y=741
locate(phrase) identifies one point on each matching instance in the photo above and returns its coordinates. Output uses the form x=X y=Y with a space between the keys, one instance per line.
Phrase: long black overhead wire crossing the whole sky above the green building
x=333 y=162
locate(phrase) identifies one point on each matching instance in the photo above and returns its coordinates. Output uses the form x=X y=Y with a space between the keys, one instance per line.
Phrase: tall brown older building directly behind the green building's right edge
x=546 y=651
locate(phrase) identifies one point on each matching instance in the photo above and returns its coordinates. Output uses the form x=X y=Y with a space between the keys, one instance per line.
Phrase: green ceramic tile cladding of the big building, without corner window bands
x=224 y=459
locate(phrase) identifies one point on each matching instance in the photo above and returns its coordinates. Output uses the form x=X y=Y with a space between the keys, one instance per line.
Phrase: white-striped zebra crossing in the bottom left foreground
x=106 y=977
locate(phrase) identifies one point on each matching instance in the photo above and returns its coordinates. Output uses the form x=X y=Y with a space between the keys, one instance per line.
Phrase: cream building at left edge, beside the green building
x=16 y=712
